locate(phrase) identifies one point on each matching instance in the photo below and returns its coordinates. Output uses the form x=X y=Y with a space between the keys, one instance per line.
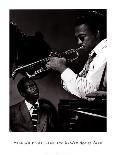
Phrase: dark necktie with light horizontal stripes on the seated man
x=35 y=117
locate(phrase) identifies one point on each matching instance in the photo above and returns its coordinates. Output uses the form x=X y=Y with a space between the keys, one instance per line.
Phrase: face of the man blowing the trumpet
x=86 y=40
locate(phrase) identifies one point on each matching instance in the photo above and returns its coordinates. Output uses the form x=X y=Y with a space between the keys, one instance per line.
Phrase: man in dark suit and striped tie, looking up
x=32 y=114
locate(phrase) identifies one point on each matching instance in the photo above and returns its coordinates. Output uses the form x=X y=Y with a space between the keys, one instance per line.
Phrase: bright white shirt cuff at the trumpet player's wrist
x=67 y=74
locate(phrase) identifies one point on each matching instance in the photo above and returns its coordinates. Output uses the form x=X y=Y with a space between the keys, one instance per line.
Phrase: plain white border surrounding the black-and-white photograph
x=7 y=138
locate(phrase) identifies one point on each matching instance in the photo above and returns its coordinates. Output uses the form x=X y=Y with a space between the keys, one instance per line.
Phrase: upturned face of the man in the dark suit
x=31 y=90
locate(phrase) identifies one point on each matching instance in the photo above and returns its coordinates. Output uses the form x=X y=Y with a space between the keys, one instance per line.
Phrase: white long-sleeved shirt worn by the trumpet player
x=80 y=86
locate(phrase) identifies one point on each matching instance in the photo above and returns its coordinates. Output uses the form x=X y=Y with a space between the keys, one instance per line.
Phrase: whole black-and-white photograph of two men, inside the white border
x=57 y=70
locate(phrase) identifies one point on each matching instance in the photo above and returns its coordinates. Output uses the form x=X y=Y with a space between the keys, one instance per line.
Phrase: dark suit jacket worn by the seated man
x=20 y=119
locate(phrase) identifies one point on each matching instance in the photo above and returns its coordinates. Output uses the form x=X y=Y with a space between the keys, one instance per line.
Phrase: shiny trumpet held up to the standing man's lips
x=37 y=68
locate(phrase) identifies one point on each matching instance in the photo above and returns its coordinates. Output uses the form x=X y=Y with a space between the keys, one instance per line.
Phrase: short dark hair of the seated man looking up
x=21 y=84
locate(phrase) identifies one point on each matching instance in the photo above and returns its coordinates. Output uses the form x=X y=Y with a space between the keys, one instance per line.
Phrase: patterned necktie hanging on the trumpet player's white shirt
x=85 y=70
